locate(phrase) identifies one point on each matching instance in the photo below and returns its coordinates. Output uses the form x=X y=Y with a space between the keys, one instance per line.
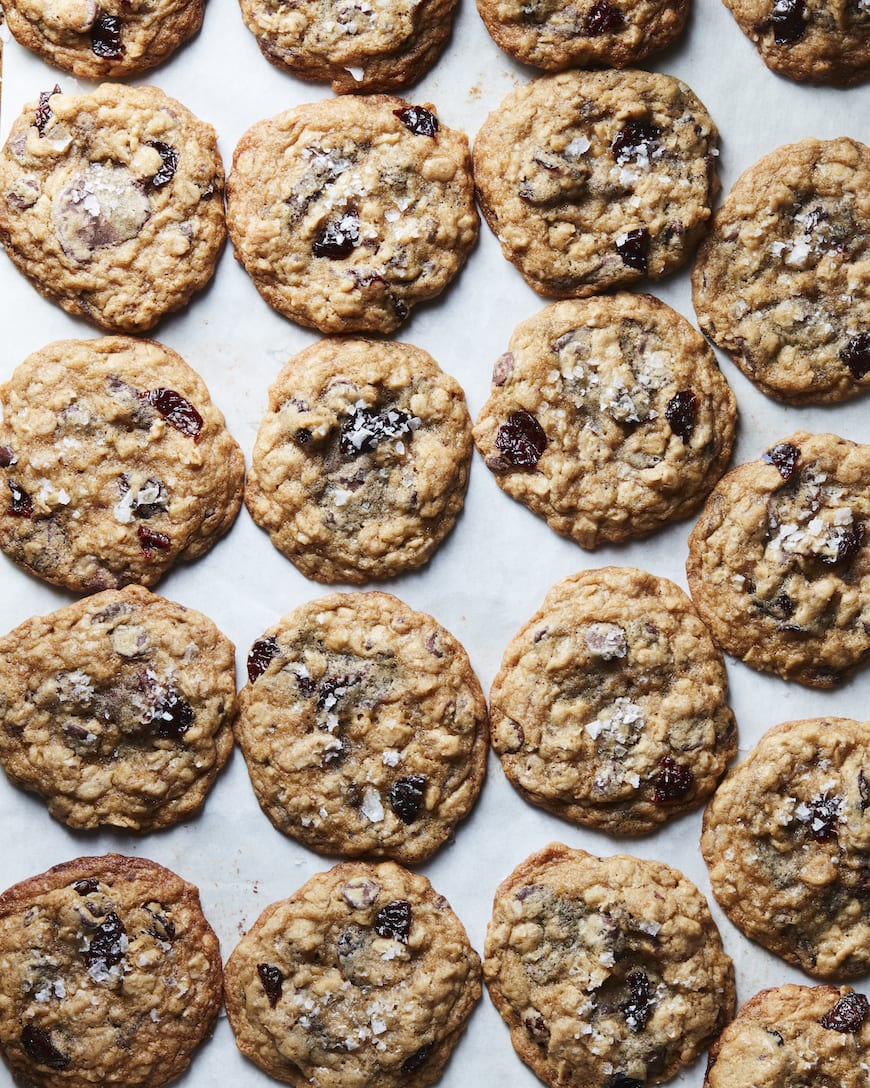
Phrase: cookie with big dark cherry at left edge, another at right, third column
x=608 y=418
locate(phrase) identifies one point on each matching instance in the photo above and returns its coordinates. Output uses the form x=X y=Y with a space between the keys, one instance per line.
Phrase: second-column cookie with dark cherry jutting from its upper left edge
x=364 y=728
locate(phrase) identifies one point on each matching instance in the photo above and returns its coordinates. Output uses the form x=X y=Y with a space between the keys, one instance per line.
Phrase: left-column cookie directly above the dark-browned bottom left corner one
x=118 y=710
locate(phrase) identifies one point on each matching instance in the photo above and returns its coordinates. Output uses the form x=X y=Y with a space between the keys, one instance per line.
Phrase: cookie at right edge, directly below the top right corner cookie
x=782 y=282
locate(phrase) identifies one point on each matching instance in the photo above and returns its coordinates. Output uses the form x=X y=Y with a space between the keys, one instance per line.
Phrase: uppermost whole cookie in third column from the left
x=598 y=180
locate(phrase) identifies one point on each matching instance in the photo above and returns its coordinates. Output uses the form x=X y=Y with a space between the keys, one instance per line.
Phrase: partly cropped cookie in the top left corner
x=107 y=41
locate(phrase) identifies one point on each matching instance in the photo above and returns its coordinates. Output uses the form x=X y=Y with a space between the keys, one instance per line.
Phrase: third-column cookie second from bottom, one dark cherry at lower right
x=611 y=706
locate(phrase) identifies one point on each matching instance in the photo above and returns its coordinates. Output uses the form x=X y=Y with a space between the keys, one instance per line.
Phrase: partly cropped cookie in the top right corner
x=810 y=41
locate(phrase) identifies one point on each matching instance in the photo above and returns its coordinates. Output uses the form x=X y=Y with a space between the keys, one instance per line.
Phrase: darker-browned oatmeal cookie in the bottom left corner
x=109 y=975
